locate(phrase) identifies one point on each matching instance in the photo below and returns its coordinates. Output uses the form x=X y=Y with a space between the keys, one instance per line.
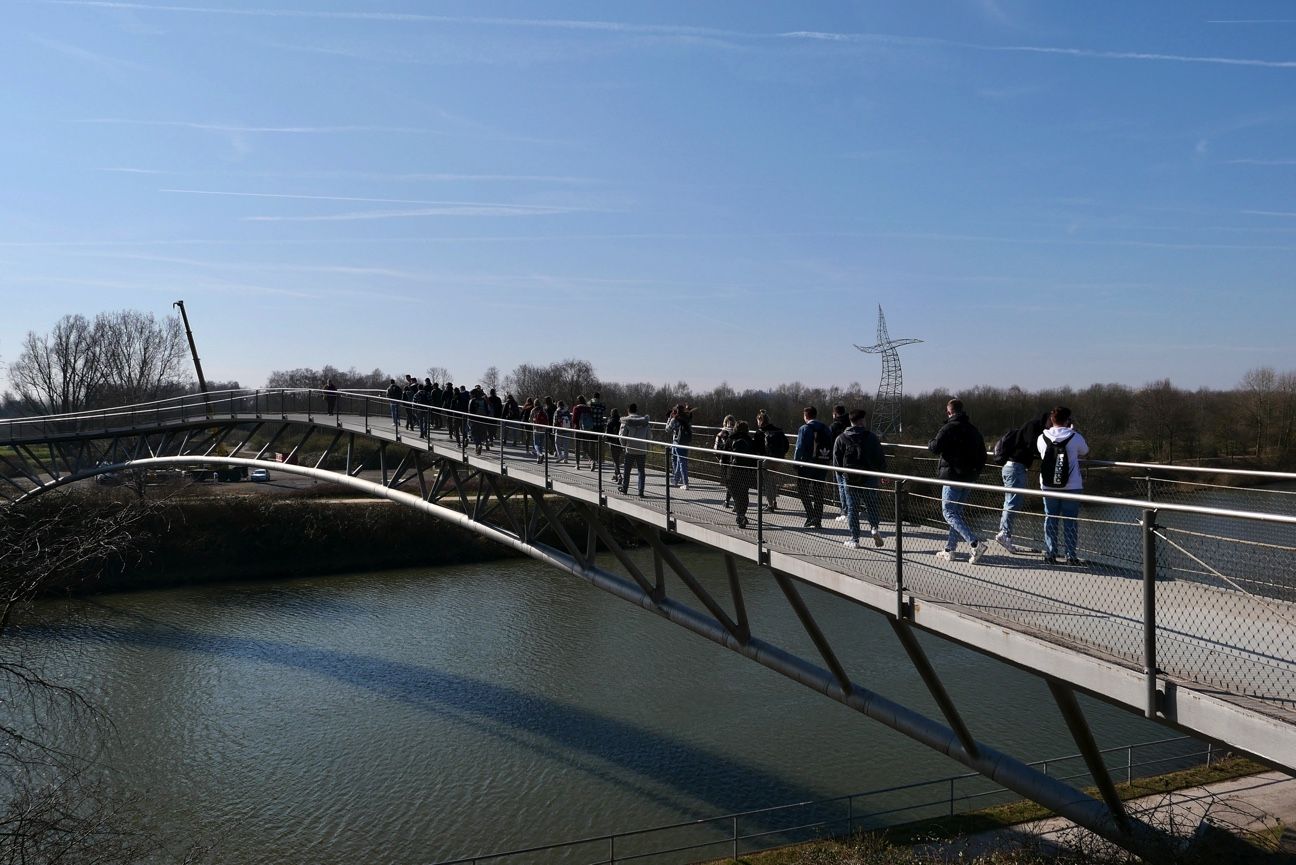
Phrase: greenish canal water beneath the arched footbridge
x=427 y=714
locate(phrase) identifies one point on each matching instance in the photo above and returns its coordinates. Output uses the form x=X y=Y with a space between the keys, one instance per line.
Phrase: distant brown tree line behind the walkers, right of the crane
x=1157 y=422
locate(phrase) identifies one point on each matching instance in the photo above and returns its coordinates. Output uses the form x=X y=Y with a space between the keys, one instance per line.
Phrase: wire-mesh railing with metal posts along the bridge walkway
x=1224 y=553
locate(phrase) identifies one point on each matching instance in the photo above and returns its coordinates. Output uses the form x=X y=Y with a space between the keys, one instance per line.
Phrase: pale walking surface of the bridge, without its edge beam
x=1246 y=657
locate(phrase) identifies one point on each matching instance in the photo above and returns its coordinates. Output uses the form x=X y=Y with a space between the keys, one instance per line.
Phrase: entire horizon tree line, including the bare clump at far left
x=119 y=359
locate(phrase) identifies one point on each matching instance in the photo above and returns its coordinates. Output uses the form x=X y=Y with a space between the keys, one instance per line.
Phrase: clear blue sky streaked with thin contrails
x=1047 y=194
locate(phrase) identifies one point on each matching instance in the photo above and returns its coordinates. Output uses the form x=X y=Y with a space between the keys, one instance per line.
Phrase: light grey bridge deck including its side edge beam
x=1224 y=635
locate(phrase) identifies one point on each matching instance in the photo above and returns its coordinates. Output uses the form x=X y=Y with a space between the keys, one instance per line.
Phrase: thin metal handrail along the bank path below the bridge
x=952 y=802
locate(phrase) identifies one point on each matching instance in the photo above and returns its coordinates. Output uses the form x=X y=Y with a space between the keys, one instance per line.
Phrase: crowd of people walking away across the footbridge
x=551 y=430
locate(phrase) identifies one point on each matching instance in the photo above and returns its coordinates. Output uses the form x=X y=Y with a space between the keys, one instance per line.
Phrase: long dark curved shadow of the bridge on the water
x=684 y=779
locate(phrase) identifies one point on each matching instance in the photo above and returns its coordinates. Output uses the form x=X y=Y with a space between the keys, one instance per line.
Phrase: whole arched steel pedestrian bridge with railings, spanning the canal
x=1184 y=610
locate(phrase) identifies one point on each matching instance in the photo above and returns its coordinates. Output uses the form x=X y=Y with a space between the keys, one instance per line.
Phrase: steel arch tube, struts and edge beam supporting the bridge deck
x=573 y=522
